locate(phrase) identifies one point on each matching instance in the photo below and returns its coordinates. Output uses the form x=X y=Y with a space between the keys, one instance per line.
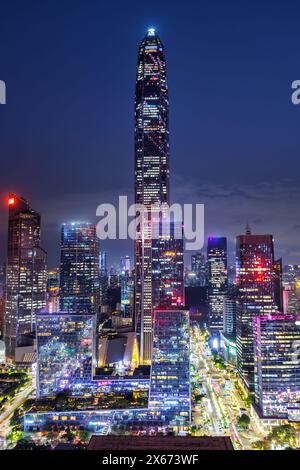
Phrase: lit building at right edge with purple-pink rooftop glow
x=277 y=364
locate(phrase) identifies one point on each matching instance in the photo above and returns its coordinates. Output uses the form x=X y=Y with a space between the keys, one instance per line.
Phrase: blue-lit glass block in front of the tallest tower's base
x=169 y=394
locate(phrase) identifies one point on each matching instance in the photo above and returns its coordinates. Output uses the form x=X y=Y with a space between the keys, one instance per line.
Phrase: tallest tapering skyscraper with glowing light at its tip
x=151 y=174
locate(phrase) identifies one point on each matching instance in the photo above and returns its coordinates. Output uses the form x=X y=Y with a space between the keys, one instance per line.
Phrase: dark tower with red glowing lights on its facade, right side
x=255 y=282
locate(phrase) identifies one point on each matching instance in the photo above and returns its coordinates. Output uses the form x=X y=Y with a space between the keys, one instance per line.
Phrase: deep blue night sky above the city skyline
x=66 y=133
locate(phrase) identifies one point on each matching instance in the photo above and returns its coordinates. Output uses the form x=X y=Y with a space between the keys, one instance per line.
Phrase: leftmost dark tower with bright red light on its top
x=26 y=275
